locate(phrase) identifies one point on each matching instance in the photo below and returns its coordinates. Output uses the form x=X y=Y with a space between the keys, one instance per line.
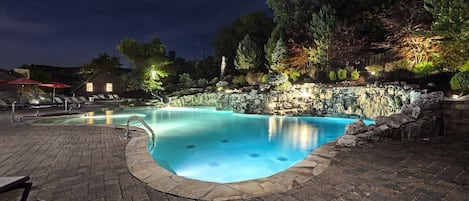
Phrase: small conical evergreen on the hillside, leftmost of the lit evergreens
x=247 y=55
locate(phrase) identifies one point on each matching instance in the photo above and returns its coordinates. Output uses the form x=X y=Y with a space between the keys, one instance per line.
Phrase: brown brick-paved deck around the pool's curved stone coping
x=68 y=162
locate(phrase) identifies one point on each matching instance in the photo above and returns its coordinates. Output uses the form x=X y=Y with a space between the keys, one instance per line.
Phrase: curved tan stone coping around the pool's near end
x=142 y=166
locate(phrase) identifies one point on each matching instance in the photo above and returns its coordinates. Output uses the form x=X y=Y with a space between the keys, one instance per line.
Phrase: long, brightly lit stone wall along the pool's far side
x=311 y=99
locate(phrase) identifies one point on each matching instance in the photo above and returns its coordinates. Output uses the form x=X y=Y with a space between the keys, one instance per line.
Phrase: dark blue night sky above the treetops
x=72 y=32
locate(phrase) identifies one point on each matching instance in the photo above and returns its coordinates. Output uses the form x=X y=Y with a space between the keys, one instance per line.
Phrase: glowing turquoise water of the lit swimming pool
x=224 y=147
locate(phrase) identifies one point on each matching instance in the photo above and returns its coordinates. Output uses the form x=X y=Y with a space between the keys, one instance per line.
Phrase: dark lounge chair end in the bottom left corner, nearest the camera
x=13 y=183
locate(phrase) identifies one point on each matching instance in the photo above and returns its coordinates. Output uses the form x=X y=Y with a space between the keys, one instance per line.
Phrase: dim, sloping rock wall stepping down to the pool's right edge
x=420 y=119
